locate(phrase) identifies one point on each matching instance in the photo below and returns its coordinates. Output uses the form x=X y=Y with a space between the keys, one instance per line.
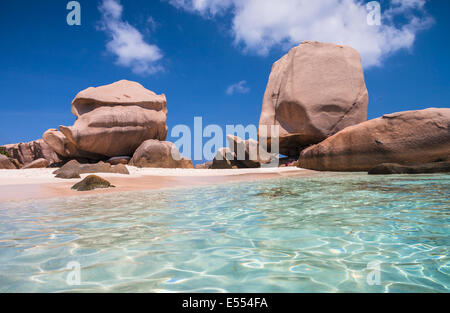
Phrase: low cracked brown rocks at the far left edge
x=28 y=152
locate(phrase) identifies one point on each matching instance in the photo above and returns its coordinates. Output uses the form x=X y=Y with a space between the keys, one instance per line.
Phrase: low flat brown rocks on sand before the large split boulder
x=73 y=169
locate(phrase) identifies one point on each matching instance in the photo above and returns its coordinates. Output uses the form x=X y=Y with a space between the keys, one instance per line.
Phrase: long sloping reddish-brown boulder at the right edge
x=406 y=138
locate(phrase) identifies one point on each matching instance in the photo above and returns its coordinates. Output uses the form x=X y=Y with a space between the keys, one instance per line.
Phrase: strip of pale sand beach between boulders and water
x=35 y=184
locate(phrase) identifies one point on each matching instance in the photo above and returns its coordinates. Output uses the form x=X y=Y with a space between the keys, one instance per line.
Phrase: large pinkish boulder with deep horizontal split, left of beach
x=114 y=120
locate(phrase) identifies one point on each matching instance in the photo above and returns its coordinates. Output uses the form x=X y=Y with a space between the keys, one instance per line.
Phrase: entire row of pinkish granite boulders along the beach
x=315 y=104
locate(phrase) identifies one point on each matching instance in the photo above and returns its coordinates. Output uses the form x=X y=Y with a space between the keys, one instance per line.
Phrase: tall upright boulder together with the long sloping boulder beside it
x=317 y=98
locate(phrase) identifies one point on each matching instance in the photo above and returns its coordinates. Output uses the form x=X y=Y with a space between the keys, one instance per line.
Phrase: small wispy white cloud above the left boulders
x=126 y=42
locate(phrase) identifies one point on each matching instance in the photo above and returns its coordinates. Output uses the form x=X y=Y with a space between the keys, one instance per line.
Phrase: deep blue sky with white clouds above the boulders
x=194 y=51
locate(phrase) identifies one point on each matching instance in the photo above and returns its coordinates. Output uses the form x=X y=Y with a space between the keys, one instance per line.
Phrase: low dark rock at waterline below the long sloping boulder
x=392 y=168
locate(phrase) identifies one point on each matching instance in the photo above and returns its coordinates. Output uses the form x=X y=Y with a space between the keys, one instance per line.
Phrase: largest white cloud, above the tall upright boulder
x=259 y=26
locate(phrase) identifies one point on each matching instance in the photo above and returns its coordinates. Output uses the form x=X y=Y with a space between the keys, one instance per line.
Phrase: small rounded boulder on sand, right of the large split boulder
x=159 y=154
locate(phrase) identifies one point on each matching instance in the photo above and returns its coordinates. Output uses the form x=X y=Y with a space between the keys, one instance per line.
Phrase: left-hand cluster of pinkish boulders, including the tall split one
x=112 y=122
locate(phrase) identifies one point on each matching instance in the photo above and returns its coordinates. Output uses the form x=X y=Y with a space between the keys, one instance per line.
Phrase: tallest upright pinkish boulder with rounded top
x=314 y=91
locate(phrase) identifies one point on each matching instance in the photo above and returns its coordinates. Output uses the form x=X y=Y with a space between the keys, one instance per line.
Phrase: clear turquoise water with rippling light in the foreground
x=288 y=235
